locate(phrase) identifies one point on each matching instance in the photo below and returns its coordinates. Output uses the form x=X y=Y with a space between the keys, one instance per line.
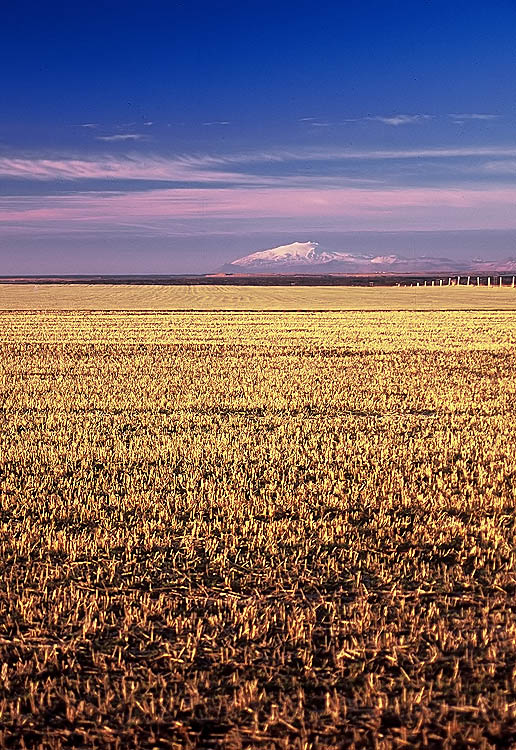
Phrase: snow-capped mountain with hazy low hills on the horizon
x=309 y=258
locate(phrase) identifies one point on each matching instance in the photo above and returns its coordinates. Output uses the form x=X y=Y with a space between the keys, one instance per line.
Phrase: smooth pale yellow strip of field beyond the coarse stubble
x=279 y=298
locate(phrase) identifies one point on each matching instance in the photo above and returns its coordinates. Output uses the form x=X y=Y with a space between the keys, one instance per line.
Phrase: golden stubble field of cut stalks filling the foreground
x=258 y=530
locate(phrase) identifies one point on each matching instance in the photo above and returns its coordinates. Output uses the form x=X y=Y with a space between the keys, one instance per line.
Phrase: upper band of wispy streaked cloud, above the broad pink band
x=259 y=168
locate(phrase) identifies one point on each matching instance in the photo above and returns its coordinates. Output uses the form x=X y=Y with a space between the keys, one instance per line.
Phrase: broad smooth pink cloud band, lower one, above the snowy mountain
x=428 y=206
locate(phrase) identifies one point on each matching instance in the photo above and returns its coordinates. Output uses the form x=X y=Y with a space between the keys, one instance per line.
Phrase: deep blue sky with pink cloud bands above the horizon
x=172 y=137
